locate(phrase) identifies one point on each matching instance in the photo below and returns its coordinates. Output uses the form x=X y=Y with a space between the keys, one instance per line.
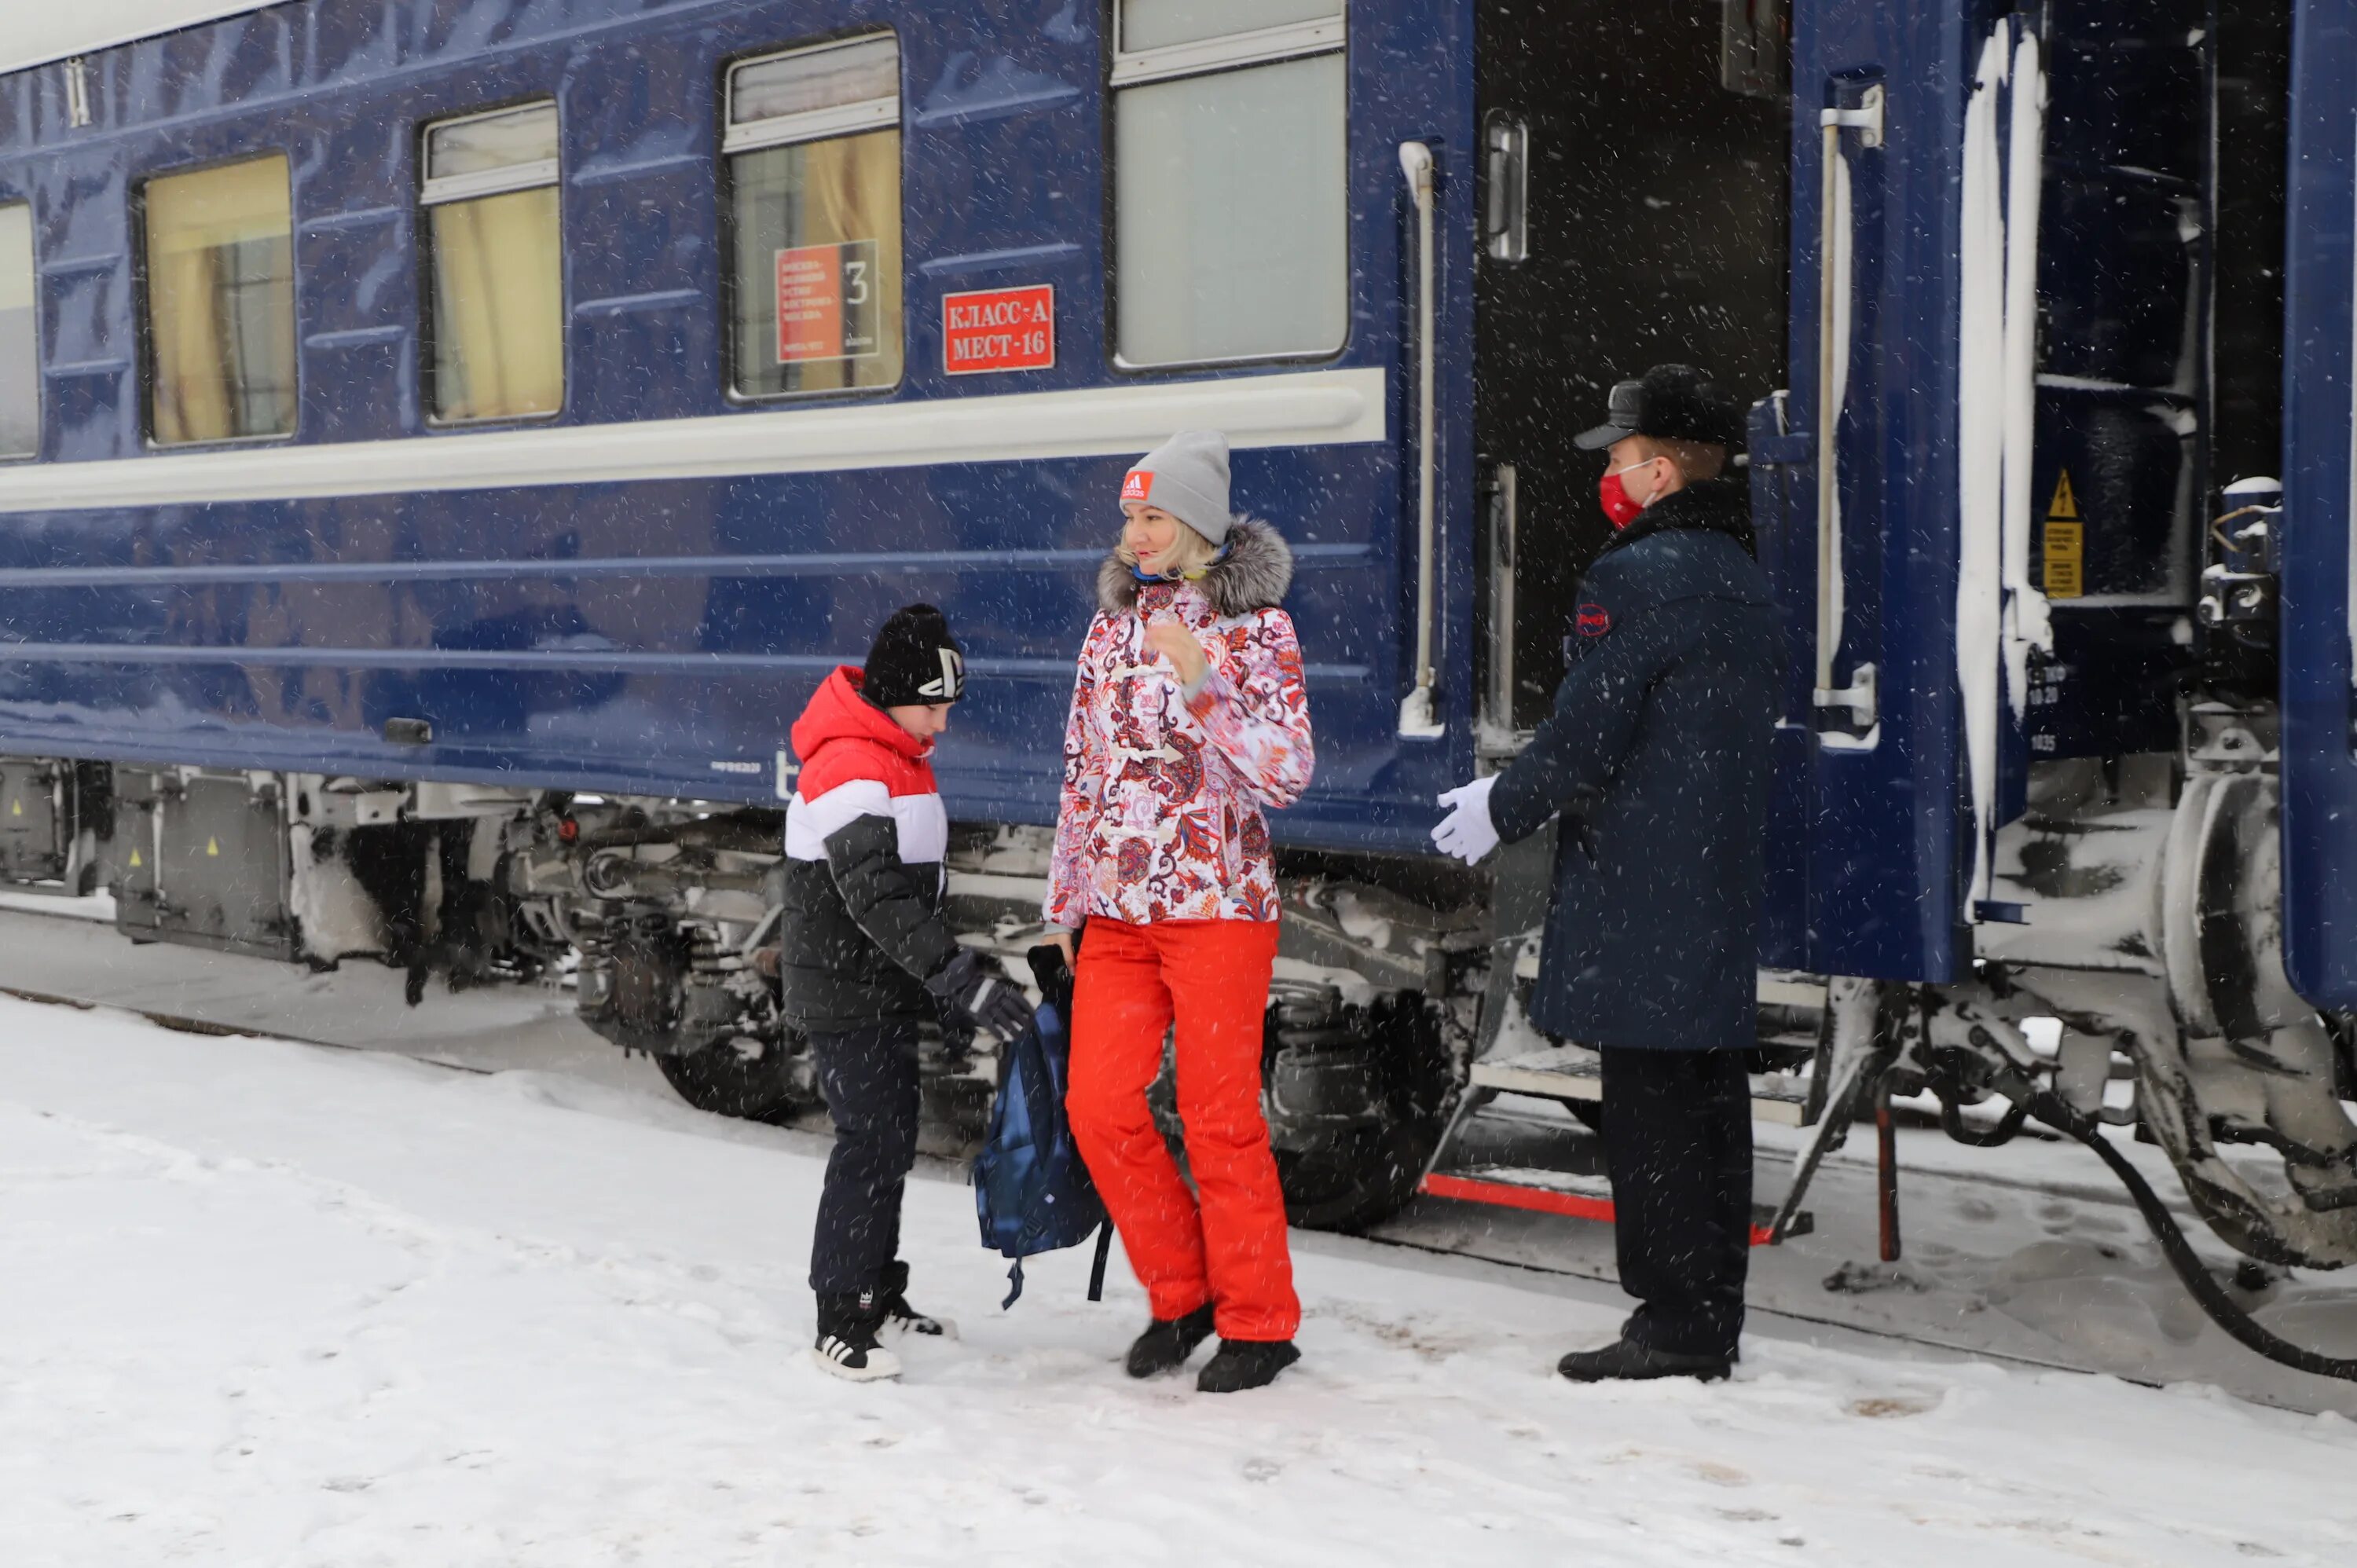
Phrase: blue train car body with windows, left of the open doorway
x=588 y=520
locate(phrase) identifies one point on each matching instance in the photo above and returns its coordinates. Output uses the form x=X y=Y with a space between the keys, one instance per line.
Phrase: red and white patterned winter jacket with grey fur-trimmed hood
x=1163 y=793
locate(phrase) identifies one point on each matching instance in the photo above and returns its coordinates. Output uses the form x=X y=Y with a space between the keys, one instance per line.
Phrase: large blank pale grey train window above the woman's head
x=1229 y=185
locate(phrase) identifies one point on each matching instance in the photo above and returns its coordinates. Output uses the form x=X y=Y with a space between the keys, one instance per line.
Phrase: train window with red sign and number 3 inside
x=814 y=202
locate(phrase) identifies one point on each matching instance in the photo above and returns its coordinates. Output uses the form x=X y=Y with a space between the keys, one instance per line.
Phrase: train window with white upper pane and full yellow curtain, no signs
x=496 y=331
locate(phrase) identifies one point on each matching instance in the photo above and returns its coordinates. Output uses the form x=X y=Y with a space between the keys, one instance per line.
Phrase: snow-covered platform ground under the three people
x=279 y=1305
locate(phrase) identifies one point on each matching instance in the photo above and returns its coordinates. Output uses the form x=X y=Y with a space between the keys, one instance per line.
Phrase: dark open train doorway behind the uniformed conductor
x=1635 y=211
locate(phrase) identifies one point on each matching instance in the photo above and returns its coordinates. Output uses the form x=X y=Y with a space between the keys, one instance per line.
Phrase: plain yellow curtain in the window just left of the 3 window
x=499 y=308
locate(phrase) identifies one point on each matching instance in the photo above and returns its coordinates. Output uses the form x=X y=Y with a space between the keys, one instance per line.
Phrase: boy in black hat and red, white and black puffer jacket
x=866 y=958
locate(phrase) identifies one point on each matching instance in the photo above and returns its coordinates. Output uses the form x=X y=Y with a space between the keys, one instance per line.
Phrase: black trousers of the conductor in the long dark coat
x=1679 y=1152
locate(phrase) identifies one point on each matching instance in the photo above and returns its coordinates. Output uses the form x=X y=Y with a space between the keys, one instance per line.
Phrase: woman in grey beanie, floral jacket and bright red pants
x=1189 y=718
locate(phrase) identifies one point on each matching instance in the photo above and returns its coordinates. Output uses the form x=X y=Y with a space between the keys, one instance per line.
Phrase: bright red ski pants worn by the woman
x=1210 y=977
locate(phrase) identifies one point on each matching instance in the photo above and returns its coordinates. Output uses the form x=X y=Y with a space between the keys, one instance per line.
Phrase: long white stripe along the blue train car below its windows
x=1257 y=411
